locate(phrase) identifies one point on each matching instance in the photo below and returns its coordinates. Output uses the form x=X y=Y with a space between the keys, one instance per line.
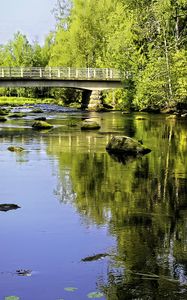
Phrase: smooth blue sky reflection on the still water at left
x=44 y=235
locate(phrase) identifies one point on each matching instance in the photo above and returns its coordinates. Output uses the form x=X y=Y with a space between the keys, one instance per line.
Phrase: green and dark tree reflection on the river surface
x=142 y=202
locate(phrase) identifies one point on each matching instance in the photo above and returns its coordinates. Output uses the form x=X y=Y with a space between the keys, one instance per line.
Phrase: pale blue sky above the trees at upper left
x=31 y=17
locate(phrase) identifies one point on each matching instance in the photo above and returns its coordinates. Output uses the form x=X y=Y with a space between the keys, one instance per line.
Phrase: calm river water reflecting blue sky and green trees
x=77 y=202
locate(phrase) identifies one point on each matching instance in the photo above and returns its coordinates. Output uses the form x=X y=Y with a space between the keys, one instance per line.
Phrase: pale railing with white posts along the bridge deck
x=62 y=73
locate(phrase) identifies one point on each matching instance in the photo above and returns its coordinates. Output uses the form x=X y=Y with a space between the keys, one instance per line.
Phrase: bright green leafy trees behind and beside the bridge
x=147 y=38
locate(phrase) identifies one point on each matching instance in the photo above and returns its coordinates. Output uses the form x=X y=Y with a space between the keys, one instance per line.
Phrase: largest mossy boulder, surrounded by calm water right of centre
x=126 y=145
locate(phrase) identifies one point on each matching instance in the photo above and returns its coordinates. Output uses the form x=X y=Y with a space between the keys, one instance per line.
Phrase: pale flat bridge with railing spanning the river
x=88 y=79
